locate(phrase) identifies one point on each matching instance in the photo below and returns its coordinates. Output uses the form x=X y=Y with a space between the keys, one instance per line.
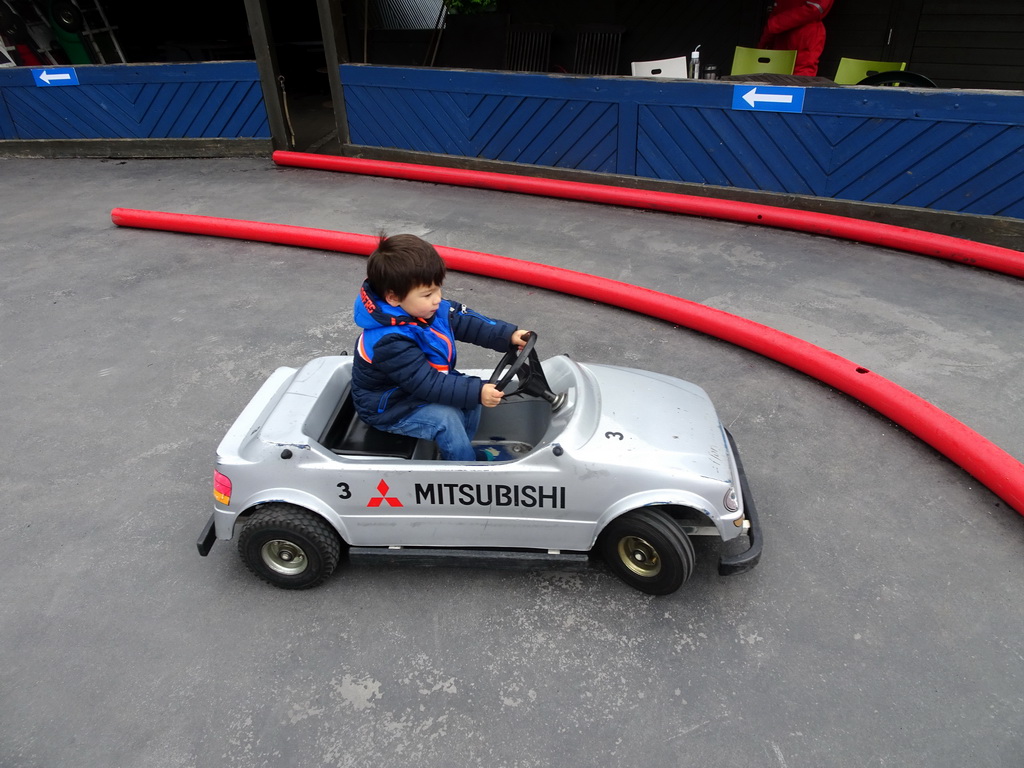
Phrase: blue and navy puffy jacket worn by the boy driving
x=404 y=363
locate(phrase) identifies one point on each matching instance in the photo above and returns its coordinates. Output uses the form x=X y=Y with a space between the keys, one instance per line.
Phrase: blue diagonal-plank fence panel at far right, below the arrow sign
x=950 y=166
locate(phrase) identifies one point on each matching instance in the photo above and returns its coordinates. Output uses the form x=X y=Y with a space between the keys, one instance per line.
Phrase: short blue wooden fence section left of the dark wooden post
x=220 y=100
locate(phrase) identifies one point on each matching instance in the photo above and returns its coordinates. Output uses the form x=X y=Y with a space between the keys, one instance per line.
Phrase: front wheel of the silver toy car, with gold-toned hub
x=650 y=551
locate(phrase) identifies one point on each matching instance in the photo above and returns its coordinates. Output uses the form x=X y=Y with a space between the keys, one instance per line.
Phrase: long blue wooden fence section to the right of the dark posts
x=952 y=151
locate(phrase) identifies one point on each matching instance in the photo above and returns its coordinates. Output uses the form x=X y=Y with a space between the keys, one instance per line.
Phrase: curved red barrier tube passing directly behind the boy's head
x=1001 y=473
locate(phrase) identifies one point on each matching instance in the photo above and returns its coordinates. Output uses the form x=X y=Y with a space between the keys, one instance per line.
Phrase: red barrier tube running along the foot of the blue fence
x=982 y=255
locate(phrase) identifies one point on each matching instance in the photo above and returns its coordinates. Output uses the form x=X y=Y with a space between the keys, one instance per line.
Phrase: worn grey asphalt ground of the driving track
x=882 y=627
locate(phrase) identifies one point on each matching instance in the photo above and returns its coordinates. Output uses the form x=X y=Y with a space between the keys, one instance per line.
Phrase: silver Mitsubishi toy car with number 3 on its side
x=585 y=459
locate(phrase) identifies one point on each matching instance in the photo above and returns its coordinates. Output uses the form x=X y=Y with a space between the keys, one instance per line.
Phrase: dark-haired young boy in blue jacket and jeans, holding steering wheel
x=405 y=380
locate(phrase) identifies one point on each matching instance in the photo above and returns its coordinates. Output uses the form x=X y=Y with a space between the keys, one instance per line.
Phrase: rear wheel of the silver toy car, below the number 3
x=289 y=547
